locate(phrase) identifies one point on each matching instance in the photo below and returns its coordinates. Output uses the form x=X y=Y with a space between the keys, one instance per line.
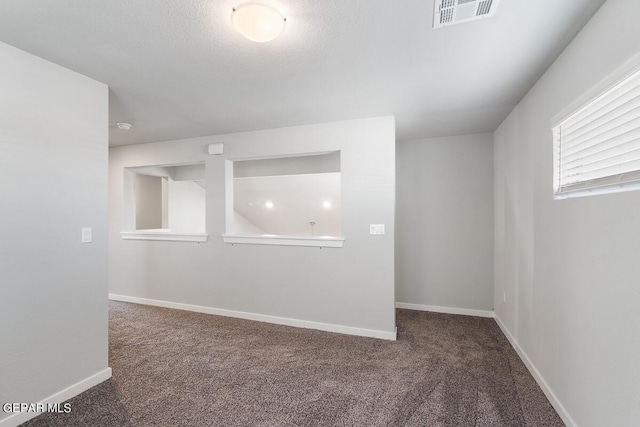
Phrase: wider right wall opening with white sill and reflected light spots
x=288 y=200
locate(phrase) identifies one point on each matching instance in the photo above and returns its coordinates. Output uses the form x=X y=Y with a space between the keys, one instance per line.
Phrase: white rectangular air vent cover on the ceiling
x=450 y=12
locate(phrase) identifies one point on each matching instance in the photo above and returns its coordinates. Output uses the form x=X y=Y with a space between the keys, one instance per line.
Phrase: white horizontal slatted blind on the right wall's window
x=599 y=145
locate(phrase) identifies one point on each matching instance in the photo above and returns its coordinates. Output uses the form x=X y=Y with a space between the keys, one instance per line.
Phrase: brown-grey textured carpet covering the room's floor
x=176 y=368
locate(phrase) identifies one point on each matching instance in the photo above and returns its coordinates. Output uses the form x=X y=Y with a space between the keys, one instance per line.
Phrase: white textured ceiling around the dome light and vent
x=177 y=69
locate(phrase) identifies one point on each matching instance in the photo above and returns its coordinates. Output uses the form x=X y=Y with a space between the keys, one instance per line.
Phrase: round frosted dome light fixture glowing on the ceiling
x=258 y=21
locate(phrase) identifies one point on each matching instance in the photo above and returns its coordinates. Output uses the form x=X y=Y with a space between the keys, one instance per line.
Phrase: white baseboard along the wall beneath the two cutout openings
x=348 y=330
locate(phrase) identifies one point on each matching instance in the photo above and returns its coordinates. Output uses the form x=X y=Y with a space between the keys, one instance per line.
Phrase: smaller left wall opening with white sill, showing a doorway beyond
x=168 y=203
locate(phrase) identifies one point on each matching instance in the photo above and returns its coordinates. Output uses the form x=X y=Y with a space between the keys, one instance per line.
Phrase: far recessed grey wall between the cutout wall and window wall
x=444 y=234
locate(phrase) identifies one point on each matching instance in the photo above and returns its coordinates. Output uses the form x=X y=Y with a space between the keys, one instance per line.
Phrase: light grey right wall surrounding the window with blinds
x=573 y=281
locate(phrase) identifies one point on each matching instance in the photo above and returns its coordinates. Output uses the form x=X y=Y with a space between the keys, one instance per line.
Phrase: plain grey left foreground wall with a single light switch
x=53 y=182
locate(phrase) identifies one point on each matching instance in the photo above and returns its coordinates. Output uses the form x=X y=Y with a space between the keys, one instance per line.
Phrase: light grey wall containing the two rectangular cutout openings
x=350 y=286
